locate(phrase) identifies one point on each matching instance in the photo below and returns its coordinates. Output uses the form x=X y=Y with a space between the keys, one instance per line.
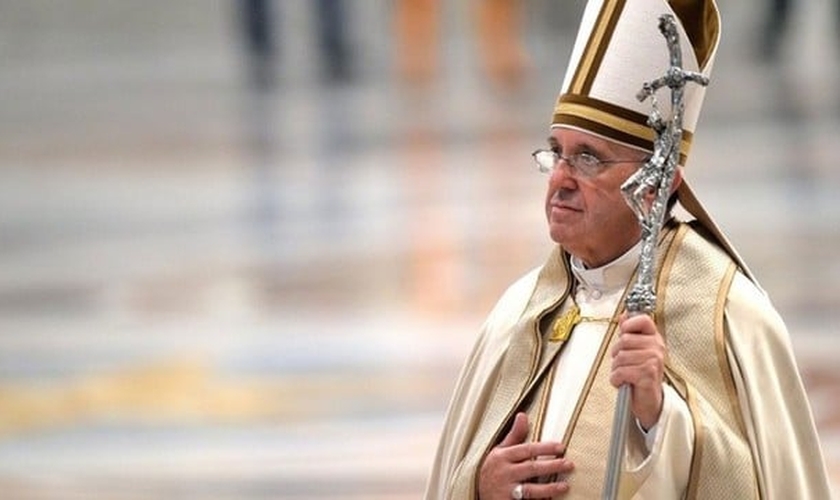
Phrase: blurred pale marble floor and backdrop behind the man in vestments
x=245 y=245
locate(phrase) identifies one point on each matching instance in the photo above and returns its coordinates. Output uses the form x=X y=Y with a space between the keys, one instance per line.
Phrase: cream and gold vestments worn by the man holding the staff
x=747 y=431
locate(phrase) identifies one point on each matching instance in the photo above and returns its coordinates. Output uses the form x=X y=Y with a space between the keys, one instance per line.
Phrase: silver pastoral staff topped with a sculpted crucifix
x=655 y=176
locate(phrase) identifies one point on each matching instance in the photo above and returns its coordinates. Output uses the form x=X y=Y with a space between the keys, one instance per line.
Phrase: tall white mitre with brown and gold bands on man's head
x=619 y=47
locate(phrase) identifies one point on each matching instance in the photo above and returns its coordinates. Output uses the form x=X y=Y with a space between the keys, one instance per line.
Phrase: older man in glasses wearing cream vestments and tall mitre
x=718 y=409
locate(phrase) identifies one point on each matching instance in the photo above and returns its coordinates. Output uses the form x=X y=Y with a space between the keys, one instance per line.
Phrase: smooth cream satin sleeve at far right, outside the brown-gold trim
x=777 y=415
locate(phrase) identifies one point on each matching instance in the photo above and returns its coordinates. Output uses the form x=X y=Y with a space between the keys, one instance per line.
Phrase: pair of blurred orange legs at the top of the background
x=498 y=30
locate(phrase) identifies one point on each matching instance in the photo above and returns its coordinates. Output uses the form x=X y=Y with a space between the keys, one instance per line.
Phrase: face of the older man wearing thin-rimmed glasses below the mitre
x=588 y=215
